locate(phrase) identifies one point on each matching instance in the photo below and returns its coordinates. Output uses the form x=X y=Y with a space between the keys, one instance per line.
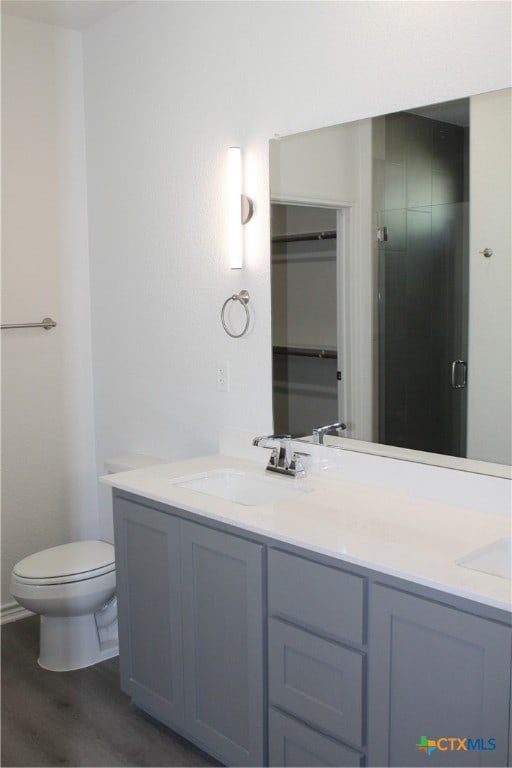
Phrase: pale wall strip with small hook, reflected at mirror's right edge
x=490 y=287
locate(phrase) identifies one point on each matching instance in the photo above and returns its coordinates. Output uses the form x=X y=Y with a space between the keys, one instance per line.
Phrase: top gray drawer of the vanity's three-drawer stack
x=317 y=596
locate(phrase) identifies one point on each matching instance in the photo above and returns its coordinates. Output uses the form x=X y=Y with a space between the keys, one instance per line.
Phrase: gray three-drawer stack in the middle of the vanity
x=316 y=663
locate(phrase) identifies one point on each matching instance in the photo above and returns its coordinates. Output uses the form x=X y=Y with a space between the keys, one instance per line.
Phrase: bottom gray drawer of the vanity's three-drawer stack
x=292 y=743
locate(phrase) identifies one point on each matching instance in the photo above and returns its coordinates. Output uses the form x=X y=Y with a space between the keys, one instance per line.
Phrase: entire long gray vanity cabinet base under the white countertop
x=360 y=668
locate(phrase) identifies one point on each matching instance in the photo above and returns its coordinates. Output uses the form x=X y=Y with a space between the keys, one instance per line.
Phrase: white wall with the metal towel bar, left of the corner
x=49 y=491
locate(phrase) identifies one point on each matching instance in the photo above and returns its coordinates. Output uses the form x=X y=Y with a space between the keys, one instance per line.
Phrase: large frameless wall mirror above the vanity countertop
x=391 y=284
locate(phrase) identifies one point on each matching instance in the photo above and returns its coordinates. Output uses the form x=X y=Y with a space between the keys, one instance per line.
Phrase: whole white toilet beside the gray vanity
x=72 y=587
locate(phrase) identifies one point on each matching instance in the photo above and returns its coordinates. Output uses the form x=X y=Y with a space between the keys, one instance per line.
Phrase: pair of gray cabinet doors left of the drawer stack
x=191 y=629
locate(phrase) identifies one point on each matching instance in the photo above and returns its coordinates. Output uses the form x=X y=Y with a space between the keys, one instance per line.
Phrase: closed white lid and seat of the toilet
x=68 y=561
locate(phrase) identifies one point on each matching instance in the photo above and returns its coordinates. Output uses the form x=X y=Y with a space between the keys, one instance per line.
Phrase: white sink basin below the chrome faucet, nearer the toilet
x=247 y=488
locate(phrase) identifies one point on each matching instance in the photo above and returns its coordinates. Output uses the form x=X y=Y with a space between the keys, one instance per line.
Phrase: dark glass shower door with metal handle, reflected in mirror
x=423 y=328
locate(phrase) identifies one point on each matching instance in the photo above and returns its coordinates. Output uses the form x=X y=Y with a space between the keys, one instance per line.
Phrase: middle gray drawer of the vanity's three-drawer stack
x=317 y=680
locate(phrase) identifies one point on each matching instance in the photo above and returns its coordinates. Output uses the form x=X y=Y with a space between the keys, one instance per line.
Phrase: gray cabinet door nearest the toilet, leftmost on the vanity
x=147 y=546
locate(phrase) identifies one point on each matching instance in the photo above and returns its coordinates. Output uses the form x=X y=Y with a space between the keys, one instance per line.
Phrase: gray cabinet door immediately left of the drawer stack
x=223 y=643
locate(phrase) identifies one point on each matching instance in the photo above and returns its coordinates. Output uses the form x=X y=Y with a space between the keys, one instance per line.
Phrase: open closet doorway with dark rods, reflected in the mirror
x=305 y=311
